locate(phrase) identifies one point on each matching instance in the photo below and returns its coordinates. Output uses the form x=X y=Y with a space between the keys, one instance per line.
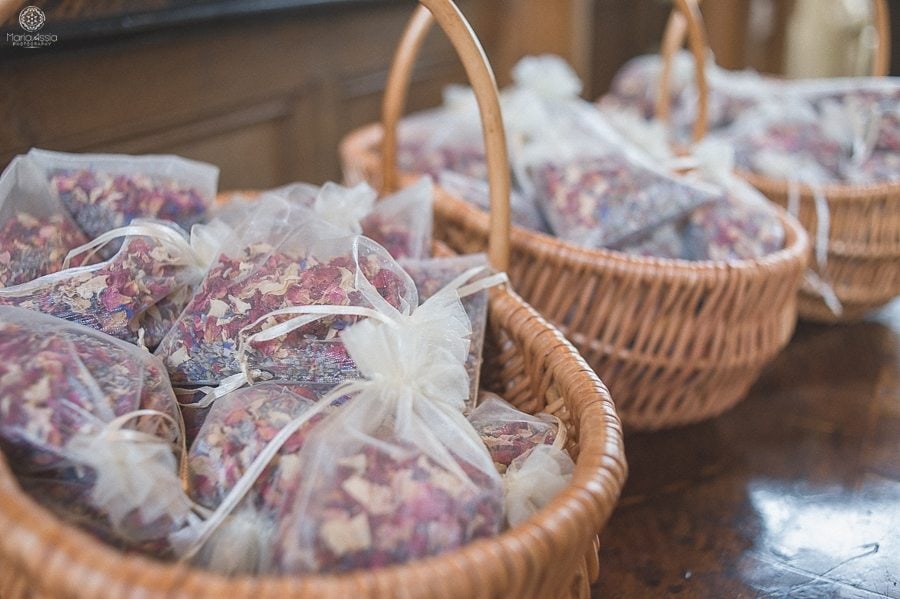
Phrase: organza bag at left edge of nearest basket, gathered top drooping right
x=89 y=425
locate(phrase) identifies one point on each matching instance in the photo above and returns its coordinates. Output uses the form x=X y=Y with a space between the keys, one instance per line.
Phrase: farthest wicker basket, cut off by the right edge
x=863 y=263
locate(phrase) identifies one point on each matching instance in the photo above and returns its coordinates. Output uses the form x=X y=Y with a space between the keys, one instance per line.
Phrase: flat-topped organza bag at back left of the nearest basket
x=107 y=191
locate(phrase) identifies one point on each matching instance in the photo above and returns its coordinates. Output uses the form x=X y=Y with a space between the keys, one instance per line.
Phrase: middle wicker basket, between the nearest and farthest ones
x=677 y=341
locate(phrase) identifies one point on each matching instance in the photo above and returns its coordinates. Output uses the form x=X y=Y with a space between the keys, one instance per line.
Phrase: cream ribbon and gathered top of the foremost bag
x=414 y=359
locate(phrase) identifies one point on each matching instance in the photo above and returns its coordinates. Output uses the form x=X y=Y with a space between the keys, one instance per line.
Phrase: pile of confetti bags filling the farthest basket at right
x=820 y=132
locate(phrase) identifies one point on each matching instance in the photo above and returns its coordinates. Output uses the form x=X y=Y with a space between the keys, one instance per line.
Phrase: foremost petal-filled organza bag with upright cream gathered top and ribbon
x=390 y=472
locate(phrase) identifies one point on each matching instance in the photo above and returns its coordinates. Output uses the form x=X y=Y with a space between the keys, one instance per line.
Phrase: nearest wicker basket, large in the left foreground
x=553 y=554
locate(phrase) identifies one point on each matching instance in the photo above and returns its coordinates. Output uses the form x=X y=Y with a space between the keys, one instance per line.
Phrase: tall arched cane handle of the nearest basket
x=479 y=73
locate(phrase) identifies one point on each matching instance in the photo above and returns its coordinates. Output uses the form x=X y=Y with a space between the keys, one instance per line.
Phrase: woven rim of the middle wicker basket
x=362 y=143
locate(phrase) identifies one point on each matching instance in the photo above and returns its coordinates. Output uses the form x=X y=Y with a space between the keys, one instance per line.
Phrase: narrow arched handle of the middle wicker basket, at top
x=685 y=18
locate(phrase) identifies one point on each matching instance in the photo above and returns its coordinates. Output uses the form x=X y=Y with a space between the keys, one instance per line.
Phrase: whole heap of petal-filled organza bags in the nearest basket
x=326 y=414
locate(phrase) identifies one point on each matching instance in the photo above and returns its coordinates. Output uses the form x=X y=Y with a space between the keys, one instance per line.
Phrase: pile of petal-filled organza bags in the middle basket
x=597 y=178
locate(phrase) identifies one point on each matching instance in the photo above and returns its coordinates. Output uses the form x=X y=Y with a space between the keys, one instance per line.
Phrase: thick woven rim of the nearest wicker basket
x=601 y=465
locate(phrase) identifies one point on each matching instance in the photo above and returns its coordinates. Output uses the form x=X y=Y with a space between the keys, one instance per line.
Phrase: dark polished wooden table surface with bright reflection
x=794 y=493
